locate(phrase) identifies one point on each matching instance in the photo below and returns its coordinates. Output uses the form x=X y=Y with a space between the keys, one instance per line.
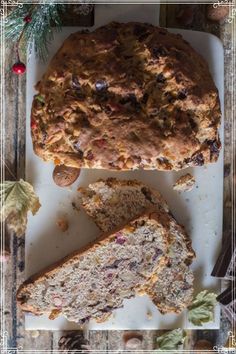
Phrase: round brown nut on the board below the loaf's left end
x=64 y=176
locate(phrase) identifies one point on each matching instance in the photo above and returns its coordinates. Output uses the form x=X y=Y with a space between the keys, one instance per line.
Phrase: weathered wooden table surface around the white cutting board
x=15 y=168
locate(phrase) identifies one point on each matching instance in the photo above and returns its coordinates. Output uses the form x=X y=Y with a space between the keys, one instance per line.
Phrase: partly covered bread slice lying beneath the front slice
x=112 y=202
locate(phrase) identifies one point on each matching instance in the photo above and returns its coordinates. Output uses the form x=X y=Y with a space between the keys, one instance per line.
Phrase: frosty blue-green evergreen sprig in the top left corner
x=38 y=32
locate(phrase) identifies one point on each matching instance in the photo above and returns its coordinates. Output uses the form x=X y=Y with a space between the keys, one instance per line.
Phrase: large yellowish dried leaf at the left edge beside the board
x=17 y=198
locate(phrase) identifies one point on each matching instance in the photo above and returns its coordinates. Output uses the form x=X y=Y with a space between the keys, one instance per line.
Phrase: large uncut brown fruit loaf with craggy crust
x=126 y=96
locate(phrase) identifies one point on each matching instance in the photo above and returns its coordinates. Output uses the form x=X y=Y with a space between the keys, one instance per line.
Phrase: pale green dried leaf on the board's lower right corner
x=202 y=308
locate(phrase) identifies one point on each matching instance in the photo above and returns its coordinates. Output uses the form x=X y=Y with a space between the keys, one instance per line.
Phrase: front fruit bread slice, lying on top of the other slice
x=95 y=280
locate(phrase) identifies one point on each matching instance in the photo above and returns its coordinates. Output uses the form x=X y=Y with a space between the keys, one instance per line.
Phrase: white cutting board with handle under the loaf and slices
x=200 y=210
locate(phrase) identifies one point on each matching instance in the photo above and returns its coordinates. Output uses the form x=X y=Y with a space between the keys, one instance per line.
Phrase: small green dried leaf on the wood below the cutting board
x=171 y=340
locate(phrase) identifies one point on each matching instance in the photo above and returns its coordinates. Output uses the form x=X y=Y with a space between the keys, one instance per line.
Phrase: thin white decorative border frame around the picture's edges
x=4 y=4
